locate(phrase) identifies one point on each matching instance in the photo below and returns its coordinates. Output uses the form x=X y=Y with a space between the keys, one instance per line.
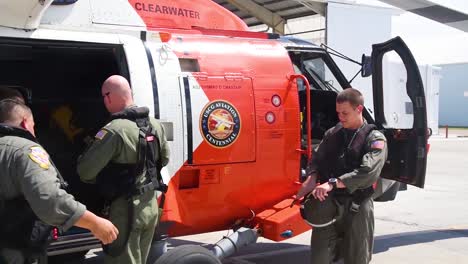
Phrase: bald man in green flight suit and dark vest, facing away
x=116 y=146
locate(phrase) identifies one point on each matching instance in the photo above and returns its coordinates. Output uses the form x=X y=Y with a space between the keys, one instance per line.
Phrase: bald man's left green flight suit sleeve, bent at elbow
x=106 y=145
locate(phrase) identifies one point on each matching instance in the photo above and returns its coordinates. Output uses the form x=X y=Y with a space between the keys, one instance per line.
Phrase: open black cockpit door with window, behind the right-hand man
x=407 y=156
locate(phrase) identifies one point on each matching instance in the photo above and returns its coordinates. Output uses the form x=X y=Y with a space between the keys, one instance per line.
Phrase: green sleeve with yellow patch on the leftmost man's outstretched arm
x=41 y=188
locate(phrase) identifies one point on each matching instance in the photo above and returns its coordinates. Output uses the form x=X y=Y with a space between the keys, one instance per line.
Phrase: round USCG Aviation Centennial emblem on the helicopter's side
x=220 y=123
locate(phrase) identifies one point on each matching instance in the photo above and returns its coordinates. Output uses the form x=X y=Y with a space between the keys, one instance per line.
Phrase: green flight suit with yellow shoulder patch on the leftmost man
x=26 y=170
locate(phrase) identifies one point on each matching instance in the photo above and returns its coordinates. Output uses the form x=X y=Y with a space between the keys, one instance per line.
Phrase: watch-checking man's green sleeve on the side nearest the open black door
x=371 y=165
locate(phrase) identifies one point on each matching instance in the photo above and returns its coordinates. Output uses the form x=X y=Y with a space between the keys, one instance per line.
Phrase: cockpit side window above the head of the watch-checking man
x=321 y=73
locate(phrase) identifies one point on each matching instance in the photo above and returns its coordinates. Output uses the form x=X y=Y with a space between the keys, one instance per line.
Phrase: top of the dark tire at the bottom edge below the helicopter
x=188 y=254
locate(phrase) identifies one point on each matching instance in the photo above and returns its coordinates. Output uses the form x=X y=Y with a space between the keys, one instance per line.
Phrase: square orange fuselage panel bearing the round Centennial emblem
x=227 y=122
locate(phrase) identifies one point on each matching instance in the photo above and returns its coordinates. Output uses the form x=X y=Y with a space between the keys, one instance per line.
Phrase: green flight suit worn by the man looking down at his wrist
x=352 y=236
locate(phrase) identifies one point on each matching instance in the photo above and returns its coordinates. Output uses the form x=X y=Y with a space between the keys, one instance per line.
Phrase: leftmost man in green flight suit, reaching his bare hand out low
x=32 y=197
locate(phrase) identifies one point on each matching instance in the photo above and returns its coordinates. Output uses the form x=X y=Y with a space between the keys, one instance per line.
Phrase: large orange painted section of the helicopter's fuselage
x=261 y=167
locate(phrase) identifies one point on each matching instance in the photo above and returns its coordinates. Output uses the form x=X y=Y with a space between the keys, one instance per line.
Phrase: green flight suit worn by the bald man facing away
x=117 y=142
